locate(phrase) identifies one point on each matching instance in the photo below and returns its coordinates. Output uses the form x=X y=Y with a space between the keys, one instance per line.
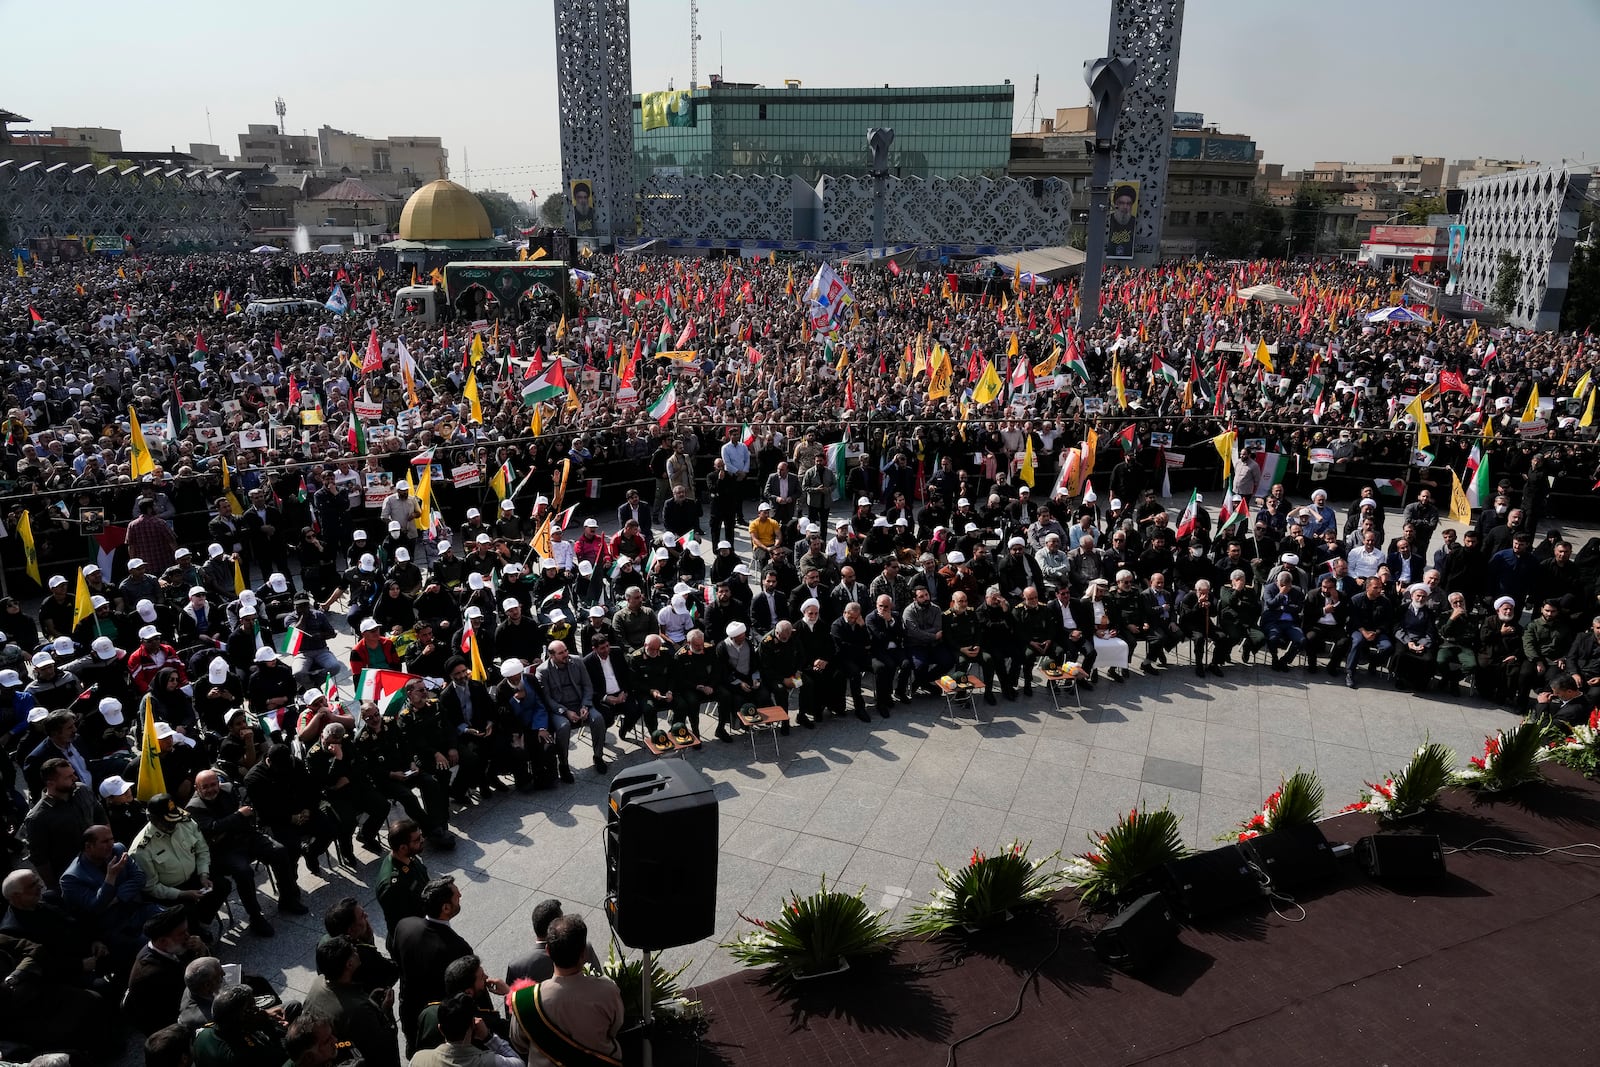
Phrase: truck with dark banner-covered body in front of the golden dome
x=516 y=292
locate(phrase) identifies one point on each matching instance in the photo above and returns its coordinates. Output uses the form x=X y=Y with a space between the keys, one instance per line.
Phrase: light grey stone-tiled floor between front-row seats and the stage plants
x=878 y=805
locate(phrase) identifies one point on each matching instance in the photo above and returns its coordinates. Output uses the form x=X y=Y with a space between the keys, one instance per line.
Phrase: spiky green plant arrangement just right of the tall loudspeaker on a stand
x=814 y=933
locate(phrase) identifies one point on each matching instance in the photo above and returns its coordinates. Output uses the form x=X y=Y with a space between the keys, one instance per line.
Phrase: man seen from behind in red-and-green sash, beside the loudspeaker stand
x=569 y=1009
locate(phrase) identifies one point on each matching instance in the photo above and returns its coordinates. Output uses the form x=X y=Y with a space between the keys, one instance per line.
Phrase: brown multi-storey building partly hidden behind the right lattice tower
x=1210 y=175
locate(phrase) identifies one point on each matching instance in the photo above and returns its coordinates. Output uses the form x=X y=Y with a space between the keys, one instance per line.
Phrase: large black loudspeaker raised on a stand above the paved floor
x=662 y=857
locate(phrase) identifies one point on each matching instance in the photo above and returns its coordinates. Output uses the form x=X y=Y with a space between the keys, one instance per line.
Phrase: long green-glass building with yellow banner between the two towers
x=940 y=132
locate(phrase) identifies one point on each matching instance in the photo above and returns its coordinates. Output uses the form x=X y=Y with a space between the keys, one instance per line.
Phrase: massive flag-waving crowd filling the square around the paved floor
x=828 y=508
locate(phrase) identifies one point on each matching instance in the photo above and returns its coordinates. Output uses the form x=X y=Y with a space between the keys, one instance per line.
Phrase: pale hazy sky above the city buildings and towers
x=1350 y=81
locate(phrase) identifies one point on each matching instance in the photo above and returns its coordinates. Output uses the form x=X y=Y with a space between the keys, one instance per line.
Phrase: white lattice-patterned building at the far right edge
x=1532 y=217
